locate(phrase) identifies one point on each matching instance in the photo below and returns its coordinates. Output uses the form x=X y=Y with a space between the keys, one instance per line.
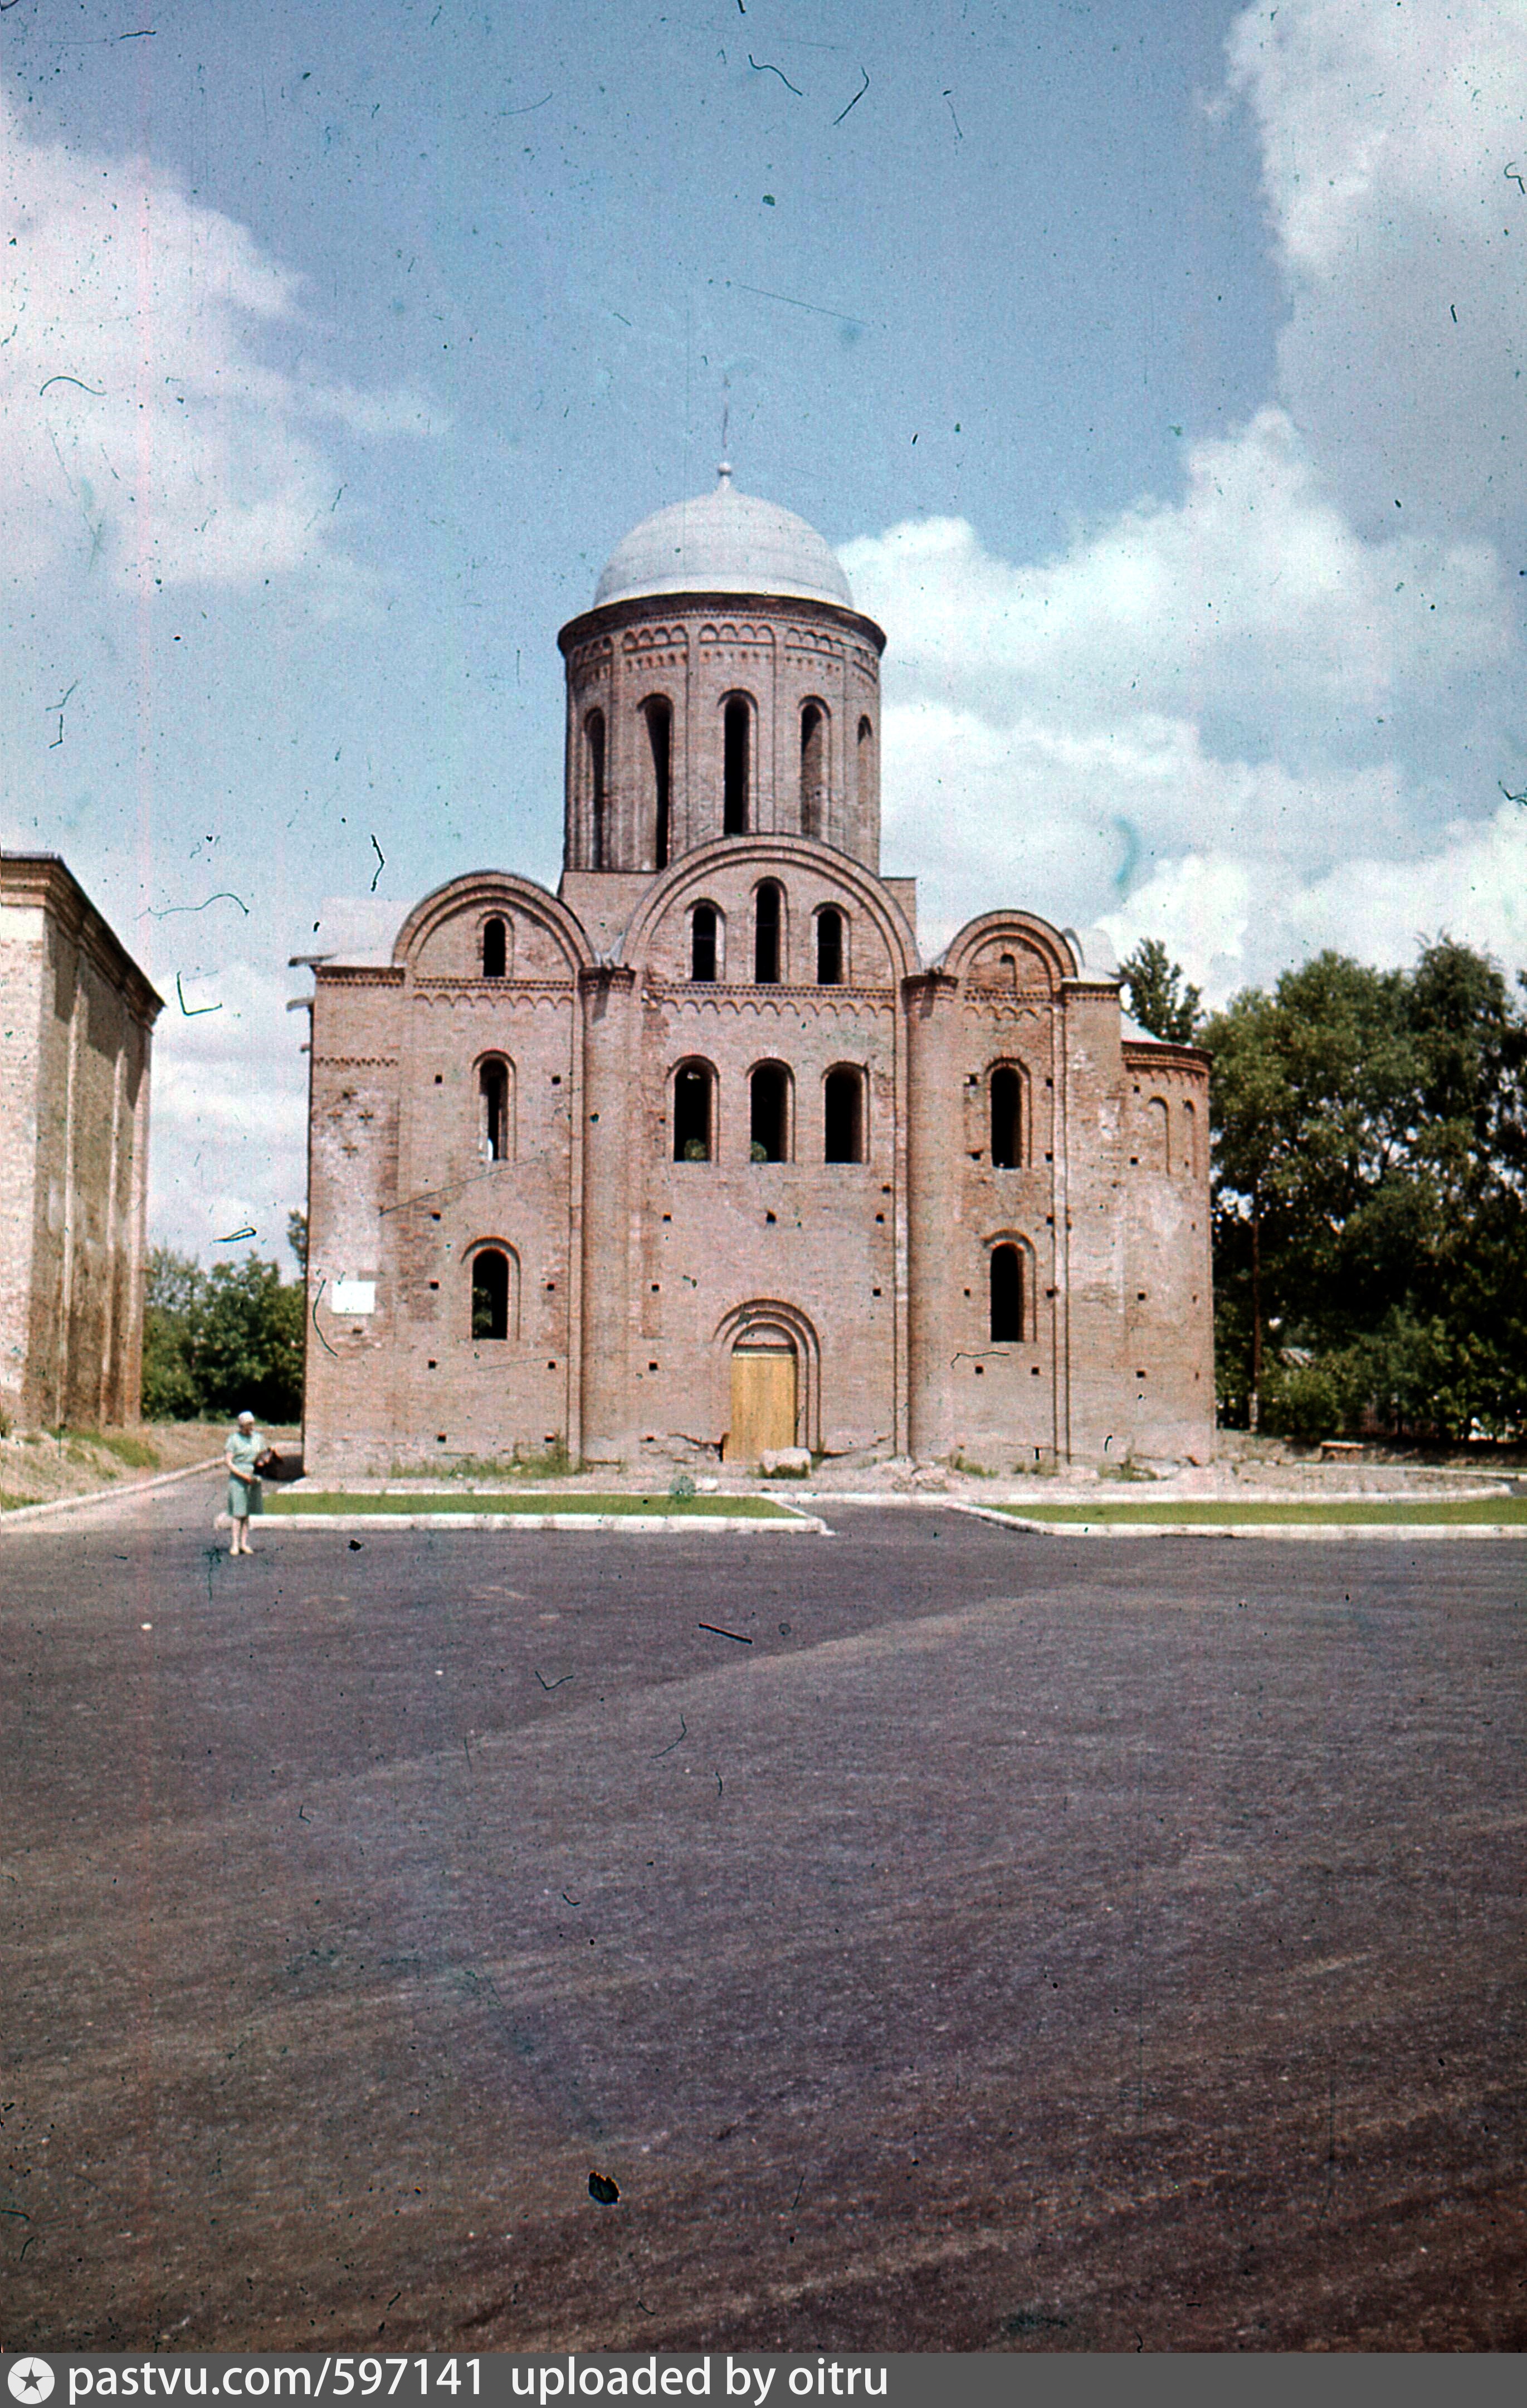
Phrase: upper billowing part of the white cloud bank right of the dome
x=1251 y=601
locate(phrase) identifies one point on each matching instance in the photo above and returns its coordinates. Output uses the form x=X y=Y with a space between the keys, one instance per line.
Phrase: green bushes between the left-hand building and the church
x=218 y=1342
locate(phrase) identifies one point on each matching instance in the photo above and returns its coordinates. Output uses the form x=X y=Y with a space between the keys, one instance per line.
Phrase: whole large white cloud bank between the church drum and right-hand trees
x=1230 y=721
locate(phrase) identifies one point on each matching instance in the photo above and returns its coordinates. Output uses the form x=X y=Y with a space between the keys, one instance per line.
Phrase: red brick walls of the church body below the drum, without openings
x=635 y=1273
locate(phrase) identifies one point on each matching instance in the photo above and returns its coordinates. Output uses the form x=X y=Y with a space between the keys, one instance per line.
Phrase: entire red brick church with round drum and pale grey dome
x=700 y=1155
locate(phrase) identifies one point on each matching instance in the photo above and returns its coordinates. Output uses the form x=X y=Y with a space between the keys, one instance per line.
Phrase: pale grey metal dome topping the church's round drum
x=724 y=543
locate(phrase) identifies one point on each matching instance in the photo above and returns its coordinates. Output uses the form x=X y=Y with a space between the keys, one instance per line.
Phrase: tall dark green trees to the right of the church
x=1369 y=1198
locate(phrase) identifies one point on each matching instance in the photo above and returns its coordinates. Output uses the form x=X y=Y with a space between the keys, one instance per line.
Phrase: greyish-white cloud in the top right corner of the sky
x=1389 y=143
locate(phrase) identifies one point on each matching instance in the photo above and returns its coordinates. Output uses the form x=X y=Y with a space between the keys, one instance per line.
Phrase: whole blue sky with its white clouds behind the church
x=1157 y=374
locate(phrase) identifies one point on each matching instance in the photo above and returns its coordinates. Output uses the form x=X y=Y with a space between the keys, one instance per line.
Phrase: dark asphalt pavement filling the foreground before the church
x=941 y=1937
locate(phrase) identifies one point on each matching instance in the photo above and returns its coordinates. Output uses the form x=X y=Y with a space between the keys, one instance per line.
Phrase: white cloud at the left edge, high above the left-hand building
x=141 y=427
